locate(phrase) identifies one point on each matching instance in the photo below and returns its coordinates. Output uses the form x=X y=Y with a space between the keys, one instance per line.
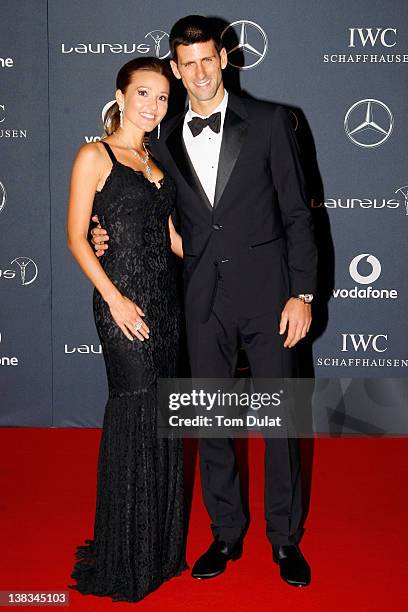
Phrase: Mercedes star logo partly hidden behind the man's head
x=252 y=44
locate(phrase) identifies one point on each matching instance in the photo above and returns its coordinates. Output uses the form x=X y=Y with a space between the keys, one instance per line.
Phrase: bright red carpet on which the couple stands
x=355 y=538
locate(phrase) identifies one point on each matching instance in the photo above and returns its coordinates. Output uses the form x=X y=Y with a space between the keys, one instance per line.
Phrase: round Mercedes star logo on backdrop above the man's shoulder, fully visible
x=368 y=123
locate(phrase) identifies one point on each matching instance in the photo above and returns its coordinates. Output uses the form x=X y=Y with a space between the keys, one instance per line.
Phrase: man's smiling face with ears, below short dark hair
x=200 y=66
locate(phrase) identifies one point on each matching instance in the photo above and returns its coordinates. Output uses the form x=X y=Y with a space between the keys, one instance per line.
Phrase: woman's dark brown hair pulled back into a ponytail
x=123 y=79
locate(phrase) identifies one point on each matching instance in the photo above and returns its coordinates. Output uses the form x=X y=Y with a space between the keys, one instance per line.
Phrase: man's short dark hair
x=193 y=29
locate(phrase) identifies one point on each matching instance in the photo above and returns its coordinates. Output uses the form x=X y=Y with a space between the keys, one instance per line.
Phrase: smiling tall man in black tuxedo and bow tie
x=249 y=272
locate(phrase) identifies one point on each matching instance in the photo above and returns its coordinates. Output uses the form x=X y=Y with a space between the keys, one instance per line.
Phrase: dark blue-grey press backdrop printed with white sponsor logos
x=340 y=67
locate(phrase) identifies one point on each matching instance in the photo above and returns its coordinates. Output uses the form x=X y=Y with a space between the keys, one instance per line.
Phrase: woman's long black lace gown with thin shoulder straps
x=138 y=530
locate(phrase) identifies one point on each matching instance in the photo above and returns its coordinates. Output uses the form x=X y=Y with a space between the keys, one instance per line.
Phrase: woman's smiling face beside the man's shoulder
x=146 y=99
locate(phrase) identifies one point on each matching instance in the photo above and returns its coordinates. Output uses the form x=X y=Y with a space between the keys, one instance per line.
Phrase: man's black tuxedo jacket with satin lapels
x=259 y=232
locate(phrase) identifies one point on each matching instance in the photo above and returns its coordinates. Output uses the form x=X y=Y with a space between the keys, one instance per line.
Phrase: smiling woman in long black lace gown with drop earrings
x=138 y=531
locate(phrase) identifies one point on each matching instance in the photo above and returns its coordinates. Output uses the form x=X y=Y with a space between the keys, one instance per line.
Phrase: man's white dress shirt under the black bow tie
x=204 y=149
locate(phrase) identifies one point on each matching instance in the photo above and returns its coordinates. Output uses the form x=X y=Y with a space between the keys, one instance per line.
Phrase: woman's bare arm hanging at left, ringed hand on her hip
x=86 y=174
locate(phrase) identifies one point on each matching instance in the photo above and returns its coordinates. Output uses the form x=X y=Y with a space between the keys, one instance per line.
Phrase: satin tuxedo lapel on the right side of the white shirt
x=232 y=140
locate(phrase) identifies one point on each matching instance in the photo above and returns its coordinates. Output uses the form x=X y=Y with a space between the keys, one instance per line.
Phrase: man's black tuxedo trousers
x=213 y=348
